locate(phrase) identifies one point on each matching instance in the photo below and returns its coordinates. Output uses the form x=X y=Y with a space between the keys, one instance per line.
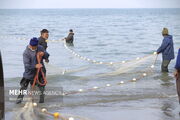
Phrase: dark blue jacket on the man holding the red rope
x=30 y=61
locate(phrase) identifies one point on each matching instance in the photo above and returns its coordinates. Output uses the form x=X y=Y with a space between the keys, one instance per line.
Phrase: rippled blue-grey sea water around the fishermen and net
x=108 y=35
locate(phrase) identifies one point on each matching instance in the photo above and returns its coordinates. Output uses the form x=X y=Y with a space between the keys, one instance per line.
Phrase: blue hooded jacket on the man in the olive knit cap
x=167 y=48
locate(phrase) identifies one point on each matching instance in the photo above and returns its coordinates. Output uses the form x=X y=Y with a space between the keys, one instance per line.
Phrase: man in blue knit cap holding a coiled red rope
x=31 y=65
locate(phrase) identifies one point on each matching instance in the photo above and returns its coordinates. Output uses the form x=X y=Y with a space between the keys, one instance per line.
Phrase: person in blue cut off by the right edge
x=177 y=74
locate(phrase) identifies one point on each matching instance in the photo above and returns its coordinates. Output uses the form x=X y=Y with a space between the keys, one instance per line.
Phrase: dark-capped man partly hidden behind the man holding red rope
x=42 y=40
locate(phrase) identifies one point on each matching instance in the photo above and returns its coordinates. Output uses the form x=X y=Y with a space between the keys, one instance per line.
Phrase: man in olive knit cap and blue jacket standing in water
x=167 y=50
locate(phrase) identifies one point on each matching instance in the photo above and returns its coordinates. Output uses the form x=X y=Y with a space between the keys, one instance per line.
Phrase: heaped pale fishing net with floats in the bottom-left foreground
x=31 y=112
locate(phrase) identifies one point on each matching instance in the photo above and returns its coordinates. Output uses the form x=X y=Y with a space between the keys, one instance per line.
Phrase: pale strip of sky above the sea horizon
x=28 y=4
